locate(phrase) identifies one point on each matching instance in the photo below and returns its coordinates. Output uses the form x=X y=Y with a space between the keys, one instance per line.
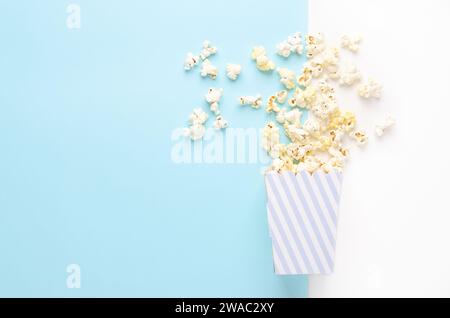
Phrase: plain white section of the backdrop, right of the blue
x=394 y=226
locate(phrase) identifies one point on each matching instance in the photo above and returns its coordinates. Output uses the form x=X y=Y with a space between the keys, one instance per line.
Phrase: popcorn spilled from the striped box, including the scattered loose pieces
x=306 y=109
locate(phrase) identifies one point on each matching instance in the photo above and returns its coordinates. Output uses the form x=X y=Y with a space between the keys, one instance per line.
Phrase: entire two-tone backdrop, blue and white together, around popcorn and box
x=90 y=193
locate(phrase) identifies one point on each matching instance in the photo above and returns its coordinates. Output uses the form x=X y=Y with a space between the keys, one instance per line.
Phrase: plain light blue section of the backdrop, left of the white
x=86 y=175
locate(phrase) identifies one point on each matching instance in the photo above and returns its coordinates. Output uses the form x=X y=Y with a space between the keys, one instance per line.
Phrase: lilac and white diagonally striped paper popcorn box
x=302 y=213
